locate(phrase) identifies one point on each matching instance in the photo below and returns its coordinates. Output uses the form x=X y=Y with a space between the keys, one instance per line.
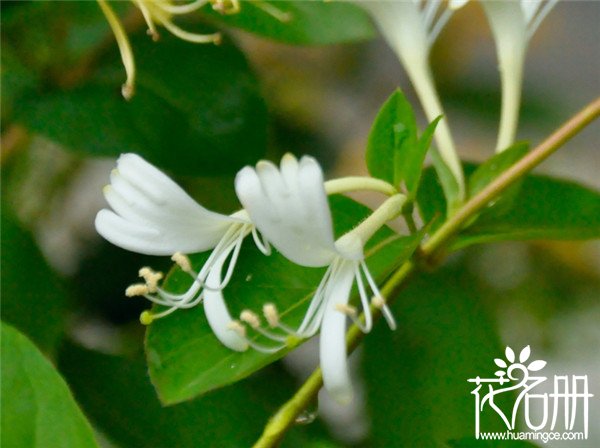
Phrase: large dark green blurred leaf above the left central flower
x=197 y=110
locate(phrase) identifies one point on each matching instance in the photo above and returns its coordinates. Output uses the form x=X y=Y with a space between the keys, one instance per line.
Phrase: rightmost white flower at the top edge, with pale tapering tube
x=513 y=23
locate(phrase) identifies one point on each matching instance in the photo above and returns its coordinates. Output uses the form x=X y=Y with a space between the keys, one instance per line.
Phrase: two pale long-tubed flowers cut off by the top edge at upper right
x=411 y=27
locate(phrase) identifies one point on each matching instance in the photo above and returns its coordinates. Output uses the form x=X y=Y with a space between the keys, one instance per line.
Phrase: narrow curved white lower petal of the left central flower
x=216 y=311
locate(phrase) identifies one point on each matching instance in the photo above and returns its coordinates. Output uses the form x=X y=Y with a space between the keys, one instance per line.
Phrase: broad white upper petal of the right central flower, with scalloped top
x=290 y=208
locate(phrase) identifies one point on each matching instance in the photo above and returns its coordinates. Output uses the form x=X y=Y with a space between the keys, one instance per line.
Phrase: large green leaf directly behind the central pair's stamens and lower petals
x=185 y=358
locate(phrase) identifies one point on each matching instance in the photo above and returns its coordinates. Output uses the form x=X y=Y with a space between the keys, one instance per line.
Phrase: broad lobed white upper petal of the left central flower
x=153 y=215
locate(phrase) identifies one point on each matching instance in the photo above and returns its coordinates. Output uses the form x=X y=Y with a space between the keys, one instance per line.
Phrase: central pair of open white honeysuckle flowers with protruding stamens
x=288 y=205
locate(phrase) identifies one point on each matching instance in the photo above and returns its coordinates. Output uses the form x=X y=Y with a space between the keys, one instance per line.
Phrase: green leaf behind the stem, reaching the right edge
x=544 y=208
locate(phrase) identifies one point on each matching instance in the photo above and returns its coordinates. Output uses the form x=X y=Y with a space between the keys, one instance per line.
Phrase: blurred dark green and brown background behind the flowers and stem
x=201 y=112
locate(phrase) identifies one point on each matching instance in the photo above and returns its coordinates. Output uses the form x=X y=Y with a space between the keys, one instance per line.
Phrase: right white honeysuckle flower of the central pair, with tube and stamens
x=289 y=206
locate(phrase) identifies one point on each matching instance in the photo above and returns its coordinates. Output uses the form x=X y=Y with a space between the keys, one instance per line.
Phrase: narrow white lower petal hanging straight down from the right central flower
x=333 y=337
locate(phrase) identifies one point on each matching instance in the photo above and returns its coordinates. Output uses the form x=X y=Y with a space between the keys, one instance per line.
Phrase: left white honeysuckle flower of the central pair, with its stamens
x=152 y=215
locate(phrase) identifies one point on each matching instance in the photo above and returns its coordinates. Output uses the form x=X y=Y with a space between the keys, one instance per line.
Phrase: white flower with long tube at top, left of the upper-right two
x=411 y=27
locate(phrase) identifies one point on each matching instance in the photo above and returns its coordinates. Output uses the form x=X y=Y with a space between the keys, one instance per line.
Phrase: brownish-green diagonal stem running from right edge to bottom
x=287 y=414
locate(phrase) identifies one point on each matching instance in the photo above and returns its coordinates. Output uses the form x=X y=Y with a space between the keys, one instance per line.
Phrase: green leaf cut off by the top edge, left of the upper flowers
x=309 y=23
